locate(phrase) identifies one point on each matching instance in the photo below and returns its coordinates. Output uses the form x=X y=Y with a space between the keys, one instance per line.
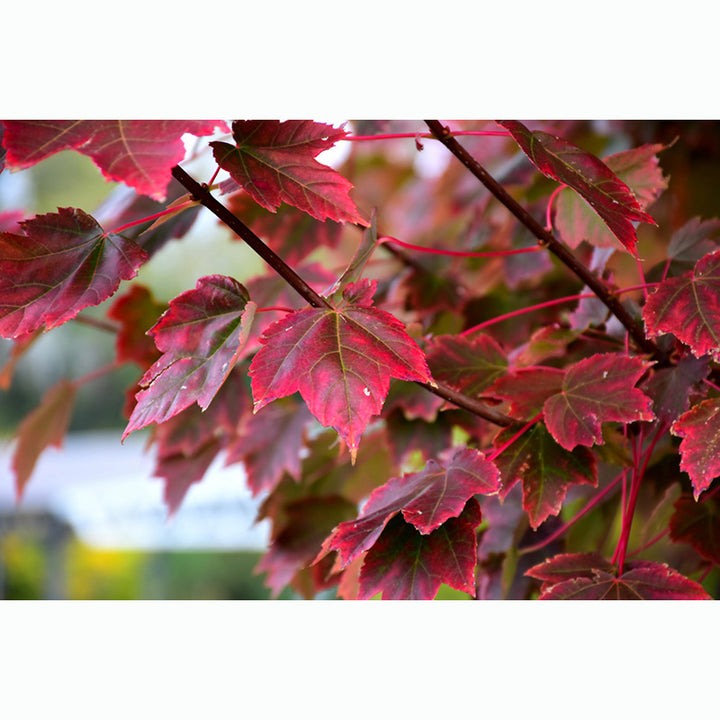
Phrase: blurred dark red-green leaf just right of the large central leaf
x=468 y=365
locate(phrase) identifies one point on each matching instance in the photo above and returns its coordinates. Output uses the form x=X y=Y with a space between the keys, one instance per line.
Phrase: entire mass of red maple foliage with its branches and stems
x=434 y=384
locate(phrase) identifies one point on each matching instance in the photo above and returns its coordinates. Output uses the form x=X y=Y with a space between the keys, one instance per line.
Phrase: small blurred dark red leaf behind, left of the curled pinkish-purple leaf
x=136 y=311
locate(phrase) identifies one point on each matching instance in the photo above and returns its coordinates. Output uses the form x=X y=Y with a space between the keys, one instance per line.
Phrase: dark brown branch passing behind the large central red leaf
x=203 y=196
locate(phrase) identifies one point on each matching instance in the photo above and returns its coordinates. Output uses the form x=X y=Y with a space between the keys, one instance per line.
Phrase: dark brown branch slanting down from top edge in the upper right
x=546 y=238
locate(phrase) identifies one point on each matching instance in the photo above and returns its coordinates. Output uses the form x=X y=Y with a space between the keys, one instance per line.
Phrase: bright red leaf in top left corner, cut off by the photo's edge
x=139 y=153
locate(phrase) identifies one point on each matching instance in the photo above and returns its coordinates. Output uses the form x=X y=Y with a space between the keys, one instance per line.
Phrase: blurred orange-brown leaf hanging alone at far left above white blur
x=44 y=426
